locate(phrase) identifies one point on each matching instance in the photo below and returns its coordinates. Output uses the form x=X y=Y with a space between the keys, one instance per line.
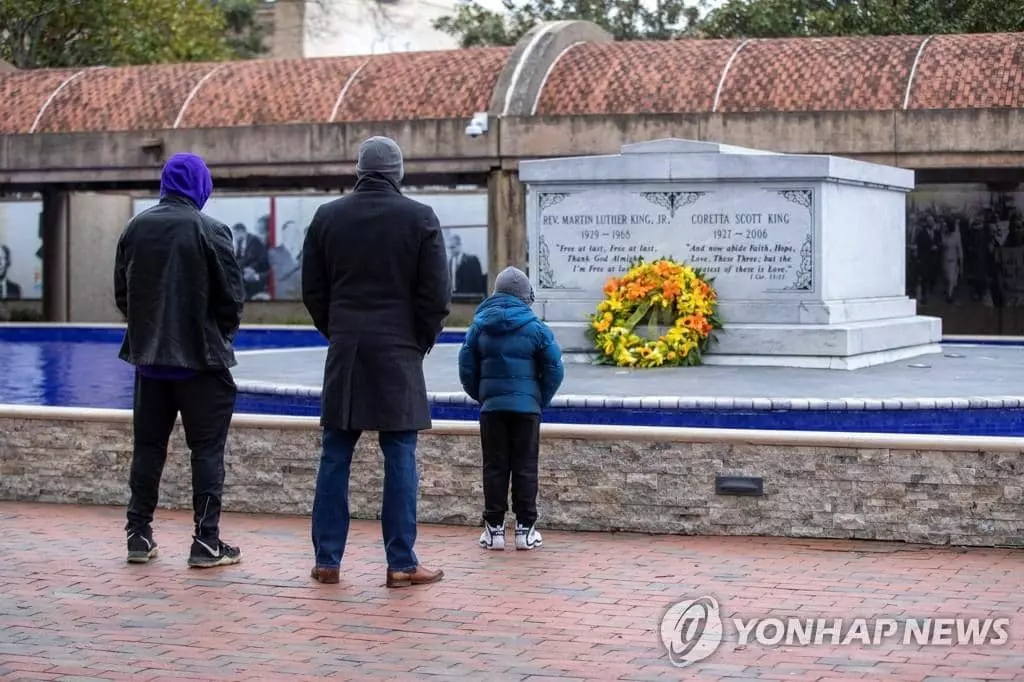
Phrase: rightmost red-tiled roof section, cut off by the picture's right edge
x=969 y=72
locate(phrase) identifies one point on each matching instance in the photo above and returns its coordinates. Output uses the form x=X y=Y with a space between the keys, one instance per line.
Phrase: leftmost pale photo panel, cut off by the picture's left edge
x=21 y=251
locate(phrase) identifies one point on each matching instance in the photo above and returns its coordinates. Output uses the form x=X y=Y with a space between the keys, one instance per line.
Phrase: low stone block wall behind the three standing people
x=660 y=487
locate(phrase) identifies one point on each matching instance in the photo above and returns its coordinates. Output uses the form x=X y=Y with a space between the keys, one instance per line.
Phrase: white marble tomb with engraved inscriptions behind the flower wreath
x=807 y=252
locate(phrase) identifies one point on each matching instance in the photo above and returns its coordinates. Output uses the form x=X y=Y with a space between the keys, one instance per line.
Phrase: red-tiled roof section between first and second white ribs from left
x=123 y=99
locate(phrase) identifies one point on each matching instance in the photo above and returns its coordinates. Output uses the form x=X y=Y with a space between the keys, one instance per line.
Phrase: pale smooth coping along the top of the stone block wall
x=591 y=433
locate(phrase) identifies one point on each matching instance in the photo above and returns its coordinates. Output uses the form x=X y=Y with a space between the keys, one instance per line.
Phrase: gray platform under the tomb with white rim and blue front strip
x=967 y=390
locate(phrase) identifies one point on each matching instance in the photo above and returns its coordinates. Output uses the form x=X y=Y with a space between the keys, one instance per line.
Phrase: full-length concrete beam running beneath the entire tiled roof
x=313 y=155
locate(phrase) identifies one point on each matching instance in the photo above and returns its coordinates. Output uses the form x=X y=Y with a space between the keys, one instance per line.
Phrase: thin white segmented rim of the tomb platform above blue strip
x=702 y=403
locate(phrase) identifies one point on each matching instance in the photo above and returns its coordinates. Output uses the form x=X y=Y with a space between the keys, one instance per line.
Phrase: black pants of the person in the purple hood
x=206 y=403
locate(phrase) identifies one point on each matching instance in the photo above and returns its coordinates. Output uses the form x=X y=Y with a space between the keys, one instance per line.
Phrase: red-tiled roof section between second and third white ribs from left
x=270 y=92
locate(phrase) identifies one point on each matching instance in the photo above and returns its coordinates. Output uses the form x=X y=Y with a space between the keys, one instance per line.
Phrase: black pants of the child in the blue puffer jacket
x=511 y=443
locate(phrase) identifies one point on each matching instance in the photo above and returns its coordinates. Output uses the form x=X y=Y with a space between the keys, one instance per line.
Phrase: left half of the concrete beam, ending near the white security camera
x=290 y=151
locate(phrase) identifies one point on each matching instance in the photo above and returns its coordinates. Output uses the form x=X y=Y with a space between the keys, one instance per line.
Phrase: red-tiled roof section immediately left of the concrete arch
x=424 y=86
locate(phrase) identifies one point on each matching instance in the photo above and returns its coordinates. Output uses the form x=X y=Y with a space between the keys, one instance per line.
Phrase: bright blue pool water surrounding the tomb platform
x=79 y=367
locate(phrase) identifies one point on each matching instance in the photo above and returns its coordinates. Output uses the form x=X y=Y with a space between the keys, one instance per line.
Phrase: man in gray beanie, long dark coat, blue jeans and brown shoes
x=375 y=283
